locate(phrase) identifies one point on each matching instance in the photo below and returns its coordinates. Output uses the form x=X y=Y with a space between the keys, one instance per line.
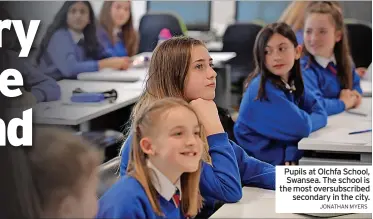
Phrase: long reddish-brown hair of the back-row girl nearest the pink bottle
x=129 y=34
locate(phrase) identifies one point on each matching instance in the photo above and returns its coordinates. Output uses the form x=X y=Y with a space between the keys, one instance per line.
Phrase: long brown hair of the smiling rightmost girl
x=341 y=48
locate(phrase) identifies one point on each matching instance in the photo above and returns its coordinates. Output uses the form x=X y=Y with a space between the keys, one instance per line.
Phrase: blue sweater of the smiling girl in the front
x=127 y=199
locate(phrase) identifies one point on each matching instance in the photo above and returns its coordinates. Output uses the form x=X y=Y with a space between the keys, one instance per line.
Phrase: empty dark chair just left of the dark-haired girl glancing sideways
x=240 y=38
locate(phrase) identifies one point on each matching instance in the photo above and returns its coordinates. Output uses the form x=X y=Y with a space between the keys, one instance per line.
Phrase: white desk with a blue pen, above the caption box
x=337 y=129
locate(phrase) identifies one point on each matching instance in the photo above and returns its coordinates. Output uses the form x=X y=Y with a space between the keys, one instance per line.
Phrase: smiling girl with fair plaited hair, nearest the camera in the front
x=164 y=167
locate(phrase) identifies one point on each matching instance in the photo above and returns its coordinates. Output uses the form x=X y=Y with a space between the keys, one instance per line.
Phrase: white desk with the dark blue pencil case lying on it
x=69 y=114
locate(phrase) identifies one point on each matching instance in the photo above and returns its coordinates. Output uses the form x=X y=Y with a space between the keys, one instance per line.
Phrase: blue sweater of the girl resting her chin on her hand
x=231 y=169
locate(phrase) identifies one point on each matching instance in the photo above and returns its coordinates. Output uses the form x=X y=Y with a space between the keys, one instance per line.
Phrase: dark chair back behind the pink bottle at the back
x=152 y=23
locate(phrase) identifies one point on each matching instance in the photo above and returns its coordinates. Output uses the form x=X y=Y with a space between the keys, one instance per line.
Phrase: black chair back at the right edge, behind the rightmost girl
x=360 y=41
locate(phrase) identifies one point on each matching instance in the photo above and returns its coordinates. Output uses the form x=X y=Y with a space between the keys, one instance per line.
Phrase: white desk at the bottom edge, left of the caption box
x=261 y=203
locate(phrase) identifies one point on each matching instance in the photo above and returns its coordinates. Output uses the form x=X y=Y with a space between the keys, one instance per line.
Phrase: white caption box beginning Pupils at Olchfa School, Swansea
x=323 y=189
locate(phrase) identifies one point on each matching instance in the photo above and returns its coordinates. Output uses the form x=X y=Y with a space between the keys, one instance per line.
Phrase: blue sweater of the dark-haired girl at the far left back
x=65 y=59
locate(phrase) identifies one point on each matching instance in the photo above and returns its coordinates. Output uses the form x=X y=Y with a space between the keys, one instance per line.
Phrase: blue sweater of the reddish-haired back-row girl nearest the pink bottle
x=114 y=50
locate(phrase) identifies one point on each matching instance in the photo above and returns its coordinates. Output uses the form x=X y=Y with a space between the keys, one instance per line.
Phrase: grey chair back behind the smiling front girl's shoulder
x=108 y=175
